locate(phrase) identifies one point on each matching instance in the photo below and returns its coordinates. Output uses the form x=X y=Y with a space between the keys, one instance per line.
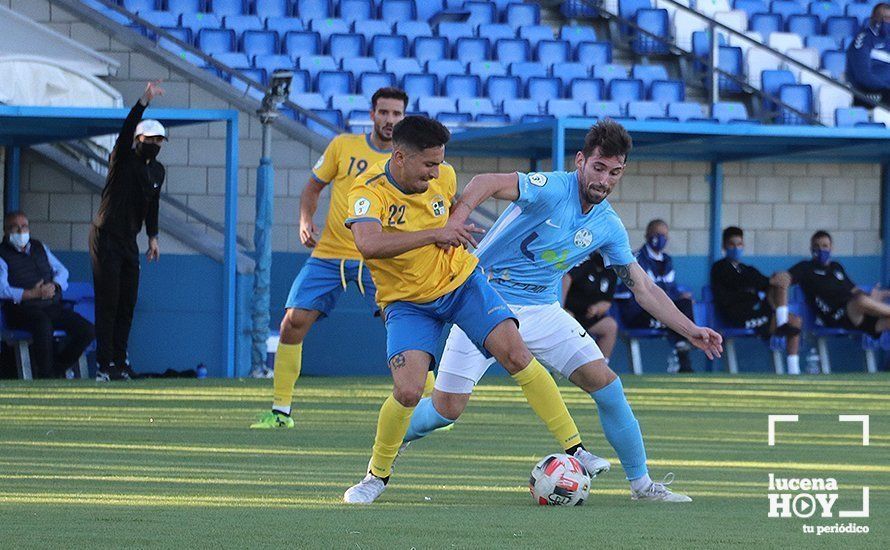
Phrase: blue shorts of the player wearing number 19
x=321 y=281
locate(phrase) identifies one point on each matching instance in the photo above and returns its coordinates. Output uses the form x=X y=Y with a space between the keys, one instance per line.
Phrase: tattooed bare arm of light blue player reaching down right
x=656 y=302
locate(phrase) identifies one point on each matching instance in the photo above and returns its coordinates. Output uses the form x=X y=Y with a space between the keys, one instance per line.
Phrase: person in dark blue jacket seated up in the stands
x=868 y=57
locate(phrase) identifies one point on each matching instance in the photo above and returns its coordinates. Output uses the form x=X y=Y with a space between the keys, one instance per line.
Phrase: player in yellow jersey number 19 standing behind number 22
x=334 y=261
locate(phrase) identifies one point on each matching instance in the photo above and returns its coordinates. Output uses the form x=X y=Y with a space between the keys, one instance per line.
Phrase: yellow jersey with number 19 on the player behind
x=346 y=157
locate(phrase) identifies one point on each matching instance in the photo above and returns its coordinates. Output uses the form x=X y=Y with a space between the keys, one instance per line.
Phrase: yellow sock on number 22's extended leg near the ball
x=542 y=394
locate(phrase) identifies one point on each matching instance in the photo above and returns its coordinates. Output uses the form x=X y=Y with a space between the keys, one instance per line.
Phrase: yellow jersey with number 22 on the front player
x=423 y=274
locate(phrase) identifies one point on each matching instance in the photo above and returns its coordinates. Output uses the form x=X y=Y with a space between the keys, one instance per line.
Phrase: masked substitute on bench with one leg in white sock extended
x=746 y=298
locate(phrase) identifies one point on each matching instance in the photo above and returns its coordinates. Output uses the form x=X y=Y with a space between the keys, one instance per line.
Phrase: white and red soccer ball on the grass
x=559 y=480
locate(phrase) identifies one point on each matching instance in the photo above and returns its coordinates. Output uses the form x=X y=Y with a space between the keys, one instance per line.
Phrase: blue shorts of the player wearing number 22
x=473 y=306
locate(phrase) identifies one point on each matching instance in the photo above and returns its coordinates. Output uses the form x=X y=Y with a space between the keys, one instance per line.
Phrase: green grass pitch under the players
x=172 y=464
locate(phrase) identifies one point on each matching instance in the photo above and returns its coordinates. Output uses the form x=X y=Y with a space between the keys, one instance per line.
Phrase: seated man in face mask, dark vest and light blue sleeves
x=31 y=285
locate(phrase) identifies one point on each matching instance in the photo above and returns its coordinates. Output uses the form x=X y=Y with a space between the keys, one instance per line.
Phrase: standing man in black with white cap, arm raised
x=130 y=198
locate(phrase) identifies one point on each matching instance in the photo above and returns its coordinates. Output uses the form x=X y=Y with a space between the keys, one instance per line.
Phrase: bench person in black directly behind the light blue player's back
x=587 y=294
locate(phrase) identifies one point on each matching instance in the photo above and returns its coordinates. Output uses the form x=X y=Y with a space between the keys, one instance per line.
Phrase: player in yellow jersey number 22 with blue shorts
x=425 y=277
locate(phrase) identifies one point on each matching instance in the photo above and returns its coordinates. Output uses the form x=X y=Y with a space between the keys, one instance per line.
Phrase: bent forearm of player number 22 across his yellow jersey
x=373 y=243
